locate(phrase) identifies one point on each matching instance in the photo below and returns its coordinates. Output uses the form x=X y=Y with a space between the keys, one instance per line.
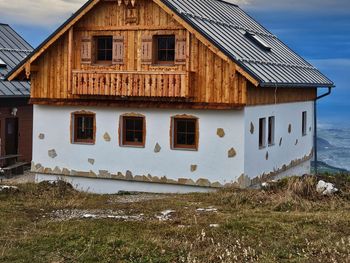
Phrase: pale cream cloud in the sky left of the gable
x=45 y=13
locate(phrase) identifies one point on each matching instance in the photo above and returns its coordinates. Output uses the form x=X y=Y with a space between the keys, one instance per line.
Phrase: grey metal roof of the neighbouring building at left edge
x=13 y=49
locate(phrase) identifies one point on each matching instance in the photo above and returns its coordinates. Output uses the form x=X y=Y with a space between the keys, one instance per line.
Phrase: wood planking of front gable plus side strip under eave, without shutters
x=205 y=77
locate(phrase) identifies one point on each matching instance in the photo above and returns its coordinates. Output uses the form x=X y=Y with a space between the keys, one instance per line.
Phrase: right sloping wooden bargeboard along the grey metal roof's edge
x=205 y=41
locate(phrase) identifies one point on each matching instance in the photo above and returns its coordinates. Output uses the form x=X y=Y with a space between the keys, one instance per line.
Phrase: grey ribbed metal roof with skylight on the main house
x=229 y=27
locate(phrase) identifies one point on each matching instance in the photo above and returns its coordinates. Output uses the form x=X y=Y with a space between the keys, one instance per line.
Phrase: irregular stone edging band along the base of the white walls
x=243 y=181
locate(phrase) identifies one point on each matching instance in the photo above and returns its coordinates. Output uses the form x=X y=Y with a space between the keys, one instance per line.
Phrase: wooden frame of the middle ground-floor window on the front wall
x=122 y=133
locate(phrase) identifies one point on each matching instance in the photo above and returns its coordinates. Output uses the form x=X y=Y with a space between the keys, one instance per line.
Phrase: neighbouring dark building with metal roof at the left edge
x=16 y=115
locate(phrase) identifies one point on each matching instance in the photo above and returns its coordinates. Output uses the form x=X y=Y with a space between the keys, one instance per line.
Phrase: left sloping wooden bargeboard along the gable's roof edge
x=54 y=38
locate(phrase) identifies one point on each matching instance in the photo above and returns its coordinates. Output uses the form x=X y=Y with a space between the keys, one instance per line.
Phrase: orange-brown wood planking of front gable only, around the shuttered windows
x=211 y=79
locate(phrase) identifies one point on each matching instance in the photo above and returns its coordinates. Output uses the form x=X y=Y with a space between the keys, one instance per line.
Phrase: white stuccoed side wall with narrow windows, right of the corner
x=285 y=114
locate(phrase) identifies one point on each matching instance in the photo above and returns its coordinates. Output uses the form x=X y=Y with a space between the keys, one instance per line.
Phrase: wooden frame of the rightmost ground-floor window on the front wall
x=173 y=132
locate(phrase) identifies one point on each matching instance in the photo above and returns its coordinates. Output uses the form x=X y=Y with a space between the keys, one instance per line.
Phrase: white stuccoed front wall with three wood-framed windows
x=211 y=158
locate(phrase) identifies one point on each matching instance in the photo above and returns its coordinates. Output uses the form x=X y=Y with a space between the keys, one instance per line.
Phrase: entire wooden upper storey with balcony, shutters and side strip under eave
x=65 y=71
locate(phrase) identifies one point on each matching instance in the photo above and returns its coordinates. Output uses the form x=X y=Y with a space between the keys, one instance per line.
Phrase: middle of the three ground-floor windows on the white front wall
x=133 y=131
